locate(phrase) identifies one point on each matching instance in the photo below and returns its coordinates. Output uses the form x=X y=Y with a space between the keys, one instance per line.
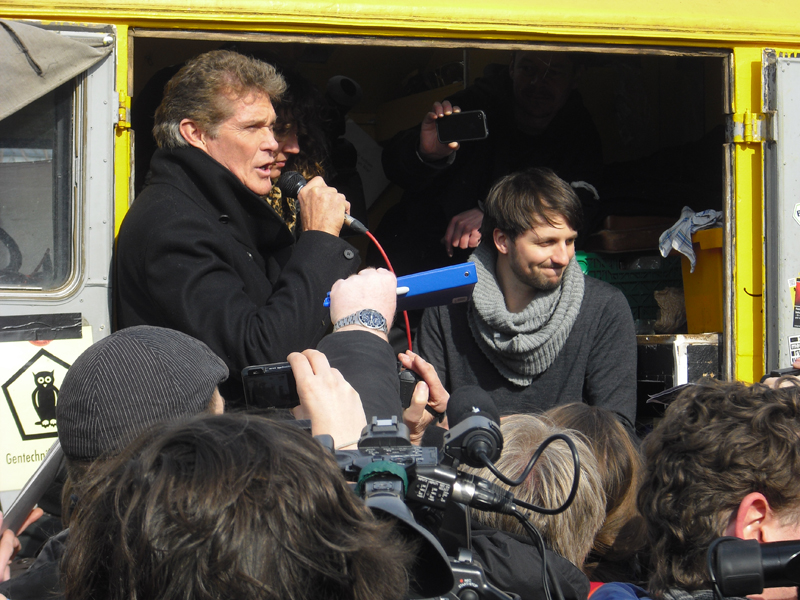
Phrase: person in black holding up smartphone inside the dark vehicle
x=535 y=118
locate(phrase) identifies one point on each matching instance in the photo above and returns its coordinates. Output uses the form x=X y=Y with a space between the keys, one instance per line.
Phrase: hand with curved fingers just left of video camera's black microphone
x=428 y=392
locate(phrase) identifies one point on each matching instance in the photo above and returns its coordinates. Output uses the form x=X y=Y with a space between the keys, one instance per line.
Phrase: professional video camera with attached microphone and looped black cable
x=407 y=483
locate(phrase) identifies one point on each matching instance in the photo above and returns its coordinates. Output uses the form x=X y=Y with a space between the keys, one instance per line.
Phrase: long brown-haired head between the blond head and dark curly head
x=620 y=467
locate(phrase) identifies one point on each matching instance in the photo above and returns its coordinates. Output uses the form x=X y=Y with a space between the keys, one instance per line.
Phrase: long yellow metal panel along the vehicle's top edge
x=669 y=21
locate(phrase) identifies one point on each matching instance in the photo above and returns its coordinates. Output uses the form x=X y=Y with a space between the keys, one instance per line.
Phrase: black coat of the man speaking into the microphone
x=201 y=253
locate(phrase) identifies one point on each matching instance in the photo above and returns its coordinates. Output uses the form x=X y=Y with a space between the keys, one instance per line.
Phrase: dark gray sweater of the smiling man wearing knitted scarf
x=597 y=364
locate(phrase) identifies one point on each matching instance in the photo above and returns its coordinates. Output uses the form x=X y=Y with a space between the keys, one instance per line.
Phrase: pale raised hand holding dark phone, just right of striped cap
x=332 y=405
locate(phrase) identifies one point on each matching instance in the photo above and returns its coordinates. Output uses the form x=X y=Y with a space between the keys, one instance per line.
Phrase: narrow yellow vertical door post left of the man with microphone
x=122 y=142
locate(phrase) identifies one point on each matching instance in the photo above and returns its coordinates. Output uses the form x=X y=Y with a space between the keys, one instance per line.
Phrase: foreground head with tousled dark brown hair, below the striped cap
x=229 y=506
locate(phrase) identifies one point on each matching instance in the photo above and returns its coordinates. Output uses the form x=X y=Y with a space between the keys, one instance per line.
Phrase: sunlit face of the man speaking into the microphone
x=245 y=143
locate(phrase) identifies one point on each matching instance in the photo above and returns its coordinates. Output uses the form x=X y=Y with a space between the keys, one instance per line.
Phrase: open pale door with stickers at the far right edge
x=781 y=83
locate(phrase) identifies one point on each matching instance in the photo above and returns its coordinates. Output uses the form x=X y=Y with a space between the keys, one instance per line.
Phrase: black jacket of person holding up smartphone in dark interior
x=411 y=231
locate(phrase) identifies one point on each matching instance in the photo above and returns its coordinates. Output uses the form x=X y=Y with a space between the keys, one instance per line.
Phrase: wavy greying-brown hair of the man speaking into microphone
x=204 y=91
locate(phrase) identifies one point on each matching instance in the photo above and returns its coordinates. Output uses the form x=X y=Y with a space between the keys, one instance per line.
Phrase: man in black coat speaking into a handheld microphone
x=201 y=251
